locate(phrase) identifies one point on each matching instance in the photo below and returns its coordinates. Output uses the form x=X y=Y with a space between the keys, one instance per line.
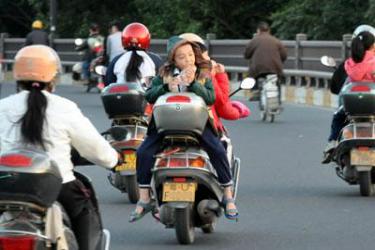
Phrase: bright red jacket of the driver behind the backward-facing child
x=222 y=107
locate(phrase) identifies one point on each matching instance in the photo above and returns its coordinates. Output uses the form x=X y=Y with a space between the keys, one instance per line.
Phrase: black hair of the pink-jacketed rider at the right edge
x=360 y=44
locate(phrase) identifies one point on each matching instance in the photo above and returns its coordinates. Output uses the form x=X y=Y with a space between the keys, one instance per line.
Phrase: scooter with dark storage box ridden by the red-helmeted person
x=125 y=105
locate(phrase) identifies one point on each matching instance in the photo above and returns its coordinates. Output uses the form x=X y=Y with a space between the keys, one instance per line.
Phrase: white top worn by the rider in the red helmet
x=147 y=67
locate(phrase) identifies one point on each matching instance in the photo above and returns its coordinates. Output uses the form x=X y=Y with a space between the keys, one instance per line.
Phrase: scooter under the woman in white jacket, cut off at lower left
x=30 y=216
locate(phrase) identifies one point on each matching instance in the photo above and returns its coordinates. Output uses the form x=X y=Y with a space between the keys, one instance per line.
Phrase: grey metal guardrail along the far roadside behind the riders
x=303 y=62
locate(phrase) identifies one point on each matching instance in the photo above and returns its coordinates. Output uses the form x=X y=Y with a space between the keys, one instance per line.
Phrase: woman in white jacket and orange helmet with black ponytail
x=35 y=117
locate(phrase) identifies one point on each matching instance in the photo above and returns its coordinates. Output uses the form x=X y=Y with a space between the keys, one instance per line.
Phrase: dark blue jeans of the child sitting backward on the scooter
x=209 y=141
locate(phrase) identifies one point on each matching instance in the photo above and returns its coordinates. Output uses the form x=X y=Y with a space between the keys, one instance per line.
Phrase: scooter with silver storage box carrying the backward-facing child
x=184 y=182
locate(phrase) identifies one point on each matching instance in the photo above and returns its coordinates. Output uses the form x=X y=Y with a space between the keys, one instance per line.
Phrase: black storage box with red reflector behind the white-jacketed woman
x=27 y=176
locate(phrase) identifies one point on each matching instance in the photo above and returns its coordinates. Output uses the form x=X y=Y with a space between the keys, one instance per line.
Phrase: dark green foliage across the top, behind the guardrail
x=323 y=20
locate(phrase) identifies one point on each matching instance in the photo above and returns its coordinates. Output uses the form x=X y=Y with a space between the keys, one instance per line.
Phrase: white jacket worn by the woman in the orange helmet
x=65 y=126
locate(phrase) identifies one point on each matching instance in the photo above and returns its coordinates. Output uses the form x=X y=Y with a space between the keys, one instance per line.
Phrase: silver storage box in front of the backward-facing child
x=180 y=112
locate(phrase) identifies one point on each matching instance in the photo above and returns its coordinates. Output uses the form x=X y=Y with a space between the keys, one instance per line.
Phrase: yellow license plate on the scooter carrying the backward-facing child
x=173 y=191
